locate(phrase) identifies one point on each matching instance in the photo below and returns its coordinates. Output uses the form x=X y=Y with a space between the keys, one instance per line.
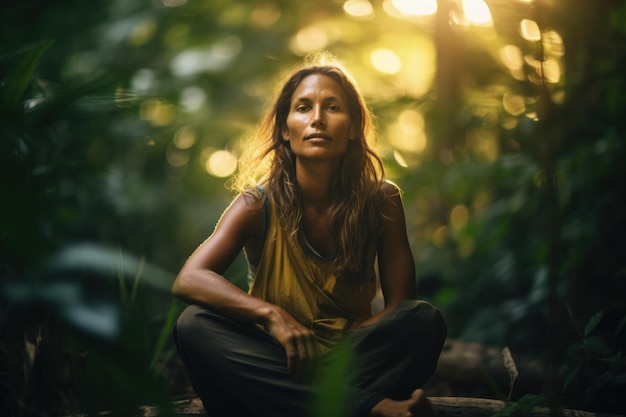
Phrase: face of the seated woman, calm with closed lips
x=318 y=124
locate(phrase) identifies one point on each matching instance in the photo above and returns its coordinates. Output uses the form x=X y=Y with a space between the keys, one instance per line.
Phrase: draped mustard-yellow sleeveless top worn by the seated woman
x=293 y=276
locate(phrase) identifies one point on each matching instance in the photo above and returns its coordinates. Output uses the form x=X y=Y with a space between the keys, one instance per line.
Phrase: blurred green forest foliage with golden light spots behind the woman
x=121 y=121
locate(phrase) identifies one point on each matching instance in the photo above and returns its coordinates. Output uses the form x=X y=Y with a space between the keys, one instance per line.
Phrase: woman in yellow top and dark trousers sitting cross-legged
x=318 y=224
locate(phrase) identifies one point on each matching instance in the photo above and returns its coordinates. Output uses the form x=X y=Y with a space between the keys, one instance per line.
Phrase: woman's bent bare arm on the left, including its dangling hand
x=201 y=281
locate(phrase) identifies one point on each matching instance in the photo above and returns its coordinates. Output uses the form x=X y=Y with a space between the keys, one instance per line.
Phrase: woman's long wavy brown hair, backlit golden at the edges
x=356 y=199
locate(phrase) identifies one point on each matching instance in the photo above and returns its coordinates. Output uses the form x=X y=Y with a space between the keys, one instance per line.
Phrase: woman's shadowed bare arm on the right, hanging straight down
x=395 y=260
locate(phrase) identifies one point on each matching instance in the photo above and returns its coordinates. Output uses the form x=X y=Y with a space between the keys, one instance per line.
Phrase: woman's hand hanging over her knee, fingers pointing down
x=301 y=346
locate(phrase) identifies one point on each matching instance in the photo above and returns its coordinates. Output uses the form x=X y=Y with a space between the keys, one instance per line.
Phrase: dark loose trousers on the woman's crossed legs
x=237 y=369
